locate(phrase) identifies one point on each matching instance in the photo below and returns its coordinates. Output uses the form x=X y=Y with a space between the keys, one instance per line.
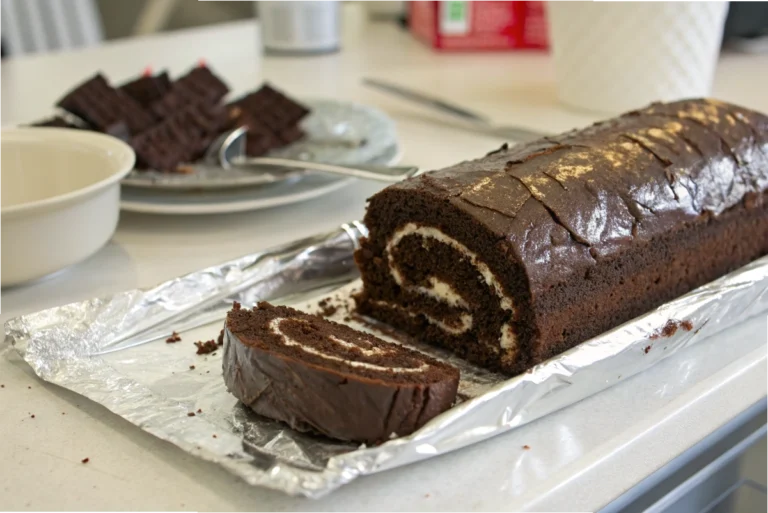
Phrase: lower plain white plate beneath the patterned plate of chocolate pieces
x=242 y=199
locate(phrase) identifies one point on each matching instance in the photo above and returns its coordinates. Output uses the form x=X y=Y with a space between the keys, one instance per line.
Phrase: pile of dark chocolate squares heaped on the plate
x=169 y=123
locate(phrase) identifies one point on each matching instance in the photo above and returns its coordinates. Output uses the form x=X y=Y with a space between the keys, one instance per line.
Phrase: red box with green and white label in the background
x=479 y=24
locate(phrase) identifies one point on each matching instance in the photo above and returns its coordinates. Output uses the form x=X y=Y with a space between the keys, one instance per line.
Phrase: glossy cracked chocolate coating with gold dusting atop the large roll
x=562 y=202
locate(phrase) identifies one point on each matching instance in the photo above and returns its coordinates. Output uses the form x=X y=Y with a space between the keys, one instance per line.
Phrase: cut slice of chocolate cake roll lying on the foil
x=320 y=376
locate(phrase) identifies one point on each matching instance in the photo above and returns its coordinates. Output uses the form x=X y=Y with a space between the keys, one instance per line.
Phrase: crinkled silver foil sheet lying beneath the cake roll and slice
x=113 y=350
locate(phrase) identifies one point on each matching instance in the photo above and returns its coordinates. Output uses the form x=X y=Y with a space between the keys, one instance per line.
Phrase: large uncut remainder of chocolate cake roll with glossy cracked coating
x=520 y=255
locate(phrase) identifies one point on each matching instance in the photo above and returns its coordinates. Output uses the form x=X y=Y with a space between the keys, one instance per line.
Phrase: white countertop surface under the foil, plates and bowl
x=580 y=458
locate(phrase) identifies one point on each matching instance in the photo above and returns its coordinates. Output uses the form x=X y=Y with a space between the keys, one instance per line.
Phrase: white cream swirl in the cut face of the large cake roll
x=445 y=292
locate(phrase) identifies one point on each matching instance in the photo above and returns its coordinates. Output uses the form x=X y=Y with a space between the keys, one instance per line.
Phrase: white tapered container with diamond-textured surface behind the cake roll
x=616 y=55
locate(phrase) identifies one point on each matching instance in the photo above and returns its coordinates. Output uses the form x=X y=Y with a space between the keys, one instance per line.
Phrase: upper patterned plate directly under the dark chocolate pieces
x=328 y=120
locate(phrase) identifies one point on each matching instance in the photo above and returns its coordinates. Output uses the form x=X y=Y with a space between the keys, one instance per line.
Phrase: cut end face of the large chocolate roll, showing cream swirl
x=440 y=276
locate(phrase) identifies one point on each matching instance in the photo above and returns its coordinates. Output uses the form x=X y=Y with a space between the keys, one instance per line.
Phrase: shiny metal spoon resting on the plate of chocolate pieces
x=228 y=151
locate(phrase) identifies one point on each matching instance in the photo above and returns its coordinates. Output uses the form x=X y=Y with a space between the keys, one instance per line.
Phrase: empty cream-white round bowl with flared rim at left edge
x=59 y=198
